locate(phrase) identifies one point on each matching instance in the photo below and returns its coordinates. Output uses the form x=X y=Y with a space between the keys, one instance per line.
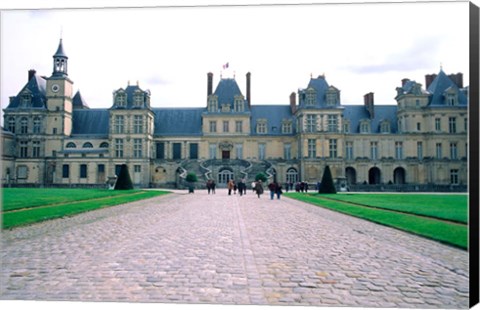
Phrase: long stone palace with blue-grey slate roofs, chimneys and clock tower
x=52 y=138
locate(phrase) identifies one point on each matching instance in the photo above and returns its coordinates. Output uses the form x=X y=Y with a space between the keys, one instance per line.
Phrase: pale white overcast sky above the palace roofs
x=169 y=50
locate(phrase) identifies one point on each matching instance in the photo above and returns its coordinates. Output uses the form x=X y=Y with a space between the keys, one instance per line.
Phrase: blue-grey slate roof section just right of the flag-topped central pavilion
x=274 y=114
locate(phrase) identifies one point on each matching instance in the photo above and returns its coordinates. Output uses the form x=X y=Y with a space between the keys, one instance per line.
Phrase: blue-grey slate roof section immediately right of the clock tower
x=90 y=122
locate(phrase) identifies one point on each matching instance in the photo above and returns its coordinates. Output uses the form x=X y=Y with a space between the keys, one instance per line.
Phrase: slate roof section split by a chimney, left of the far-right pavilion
x=355 y=113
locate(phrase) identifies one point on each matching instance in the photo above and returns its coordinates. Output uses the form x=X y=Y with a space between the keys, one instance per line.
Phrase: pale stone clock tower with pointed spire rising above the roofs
x=59 y=96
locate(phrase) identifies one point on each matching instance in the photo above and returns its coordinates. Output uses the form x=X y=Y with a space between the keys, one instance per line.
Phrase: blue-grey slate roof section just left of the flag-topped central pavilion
x=178 y=121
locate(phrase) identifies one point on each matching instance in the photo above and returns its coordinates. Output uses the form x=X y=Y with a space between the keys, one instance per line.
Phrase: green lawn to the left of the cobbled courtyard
x=45 y=204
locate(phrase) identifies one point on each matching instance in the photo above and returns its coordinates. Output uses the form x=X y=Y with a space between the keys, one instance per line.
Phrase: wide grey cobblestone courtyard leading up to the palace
x=222 y=249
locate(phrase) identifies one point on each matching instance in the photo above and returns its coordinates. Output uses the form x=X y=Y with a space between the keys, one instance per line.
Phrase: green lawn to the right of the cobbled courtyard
x=455 y=234
